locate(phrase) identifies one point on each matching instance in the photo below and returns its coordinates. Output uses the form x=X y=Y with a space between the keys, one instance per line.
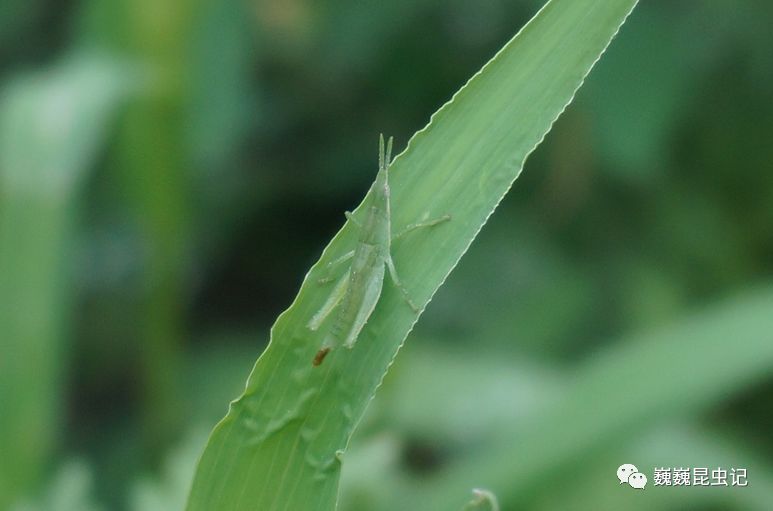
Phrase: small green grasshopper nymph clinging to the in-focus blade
x=359 y=289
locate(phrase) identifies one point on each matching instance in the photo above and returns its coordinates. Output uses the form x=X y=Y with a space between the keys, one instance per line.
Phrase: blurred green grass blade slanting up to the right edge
x=644 y=380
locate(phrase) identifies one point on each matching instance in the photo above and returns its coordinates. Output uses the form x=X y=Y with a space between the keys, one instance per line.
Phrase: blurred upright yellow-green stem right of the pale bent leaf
x=154 y=171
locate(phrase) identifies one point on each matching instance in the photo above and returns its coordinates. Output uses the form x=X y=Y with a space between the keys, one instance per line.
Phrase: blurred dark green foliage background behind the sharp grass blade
x=170 y=170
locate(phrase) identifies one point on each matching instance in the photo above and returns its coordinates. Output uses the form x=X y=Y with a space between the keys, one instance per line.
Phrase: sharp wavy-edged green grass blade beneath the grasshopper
x=279 y=447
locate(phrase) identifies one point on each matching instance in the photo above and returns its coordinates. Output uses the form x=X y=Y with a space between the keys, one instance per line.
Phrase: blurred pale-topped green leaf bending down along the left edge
x=51 y=125
